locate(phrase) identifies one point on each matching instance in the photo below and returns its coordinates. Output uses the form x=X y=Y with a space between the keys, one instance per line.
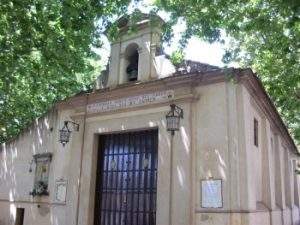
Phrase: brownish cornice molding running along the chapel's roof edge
x=243 y=76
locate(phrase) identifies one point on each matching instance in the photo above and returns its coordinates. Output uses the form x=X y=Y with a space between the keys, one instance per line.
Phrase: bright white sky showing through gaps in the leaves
x=196 y=49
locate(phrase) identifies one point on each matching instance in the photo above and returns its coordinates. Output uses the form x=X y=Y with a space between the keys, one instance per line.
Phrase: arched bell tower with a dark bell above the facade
x=133 y=52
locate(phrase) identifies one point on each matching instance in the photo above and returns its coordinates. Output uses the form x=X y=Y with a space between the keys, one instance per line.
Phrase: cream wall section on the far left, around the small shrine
x=16 y=182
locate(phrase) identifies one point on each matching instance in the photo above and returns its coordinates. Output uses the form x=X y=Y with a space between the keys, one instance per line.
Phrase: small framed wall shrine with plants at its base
x=42 y=162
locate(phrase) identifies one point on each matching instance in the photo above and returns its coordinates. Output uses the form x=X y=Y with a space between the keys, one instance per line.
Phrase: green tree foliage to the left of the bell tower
x=46 y=54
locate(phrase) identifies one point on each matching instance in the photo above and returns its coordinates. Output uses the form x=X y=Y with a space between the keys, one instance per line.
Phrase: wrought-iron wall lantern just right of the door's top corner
x=173 y=118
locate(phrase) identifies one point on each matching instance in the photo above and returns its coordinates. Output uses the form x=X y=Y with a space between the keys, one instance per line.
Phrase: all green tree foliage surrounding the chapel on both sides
x=46 y=48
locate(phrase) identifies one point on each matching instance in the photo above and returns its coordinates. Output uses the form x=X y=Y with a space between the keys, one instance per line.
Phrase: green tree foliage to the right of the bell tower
x=265 y=36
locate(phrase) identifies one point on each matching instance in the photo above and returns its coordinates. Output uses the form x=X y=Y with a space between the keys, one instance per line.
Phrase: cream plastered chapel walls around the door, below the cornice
x=215 y=140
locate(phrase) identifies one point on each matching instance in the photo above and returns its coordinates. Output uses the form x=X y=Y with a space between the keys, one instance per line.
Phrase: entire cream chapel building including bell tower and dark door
x=108 y=157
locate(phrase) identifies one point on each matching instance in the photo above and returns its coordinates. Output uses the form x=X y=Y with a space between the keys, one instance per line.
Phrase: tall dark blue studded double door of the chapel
x=126 y=179
